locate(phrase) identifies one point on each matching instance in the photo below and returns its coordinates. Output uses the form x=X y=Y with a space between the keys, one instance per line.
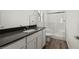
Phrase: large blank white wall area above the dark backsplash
x=15 y=18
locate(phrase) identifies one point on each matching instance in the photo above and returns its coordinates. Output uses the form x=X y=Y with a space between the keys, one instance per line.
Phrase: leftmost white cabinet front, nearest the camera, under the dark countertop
x=20 y=44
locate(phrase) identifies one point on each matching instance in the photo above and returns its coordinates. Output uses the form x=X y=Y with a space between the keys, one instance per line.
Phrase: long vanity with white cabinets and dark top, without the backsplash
x=24 y=39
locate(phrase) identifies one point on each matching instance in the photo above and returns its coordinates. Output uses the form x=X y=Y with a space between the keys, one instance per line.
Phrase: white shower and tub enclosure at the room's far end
x=56 y=25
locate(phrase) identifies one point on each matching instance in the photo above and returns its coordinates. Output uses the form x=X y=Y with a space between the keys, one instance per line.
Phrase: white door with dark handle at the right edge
x=72 y=28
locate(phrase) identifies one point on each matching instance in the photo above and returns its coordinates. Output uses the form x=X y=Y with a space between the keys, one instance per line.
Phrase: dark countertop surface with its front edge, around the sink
x=9 y=38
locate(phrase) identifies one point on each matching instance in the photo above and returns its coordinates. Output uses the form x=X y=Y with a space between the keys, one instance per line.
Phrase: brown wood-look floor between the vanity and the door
x=56 y=44
